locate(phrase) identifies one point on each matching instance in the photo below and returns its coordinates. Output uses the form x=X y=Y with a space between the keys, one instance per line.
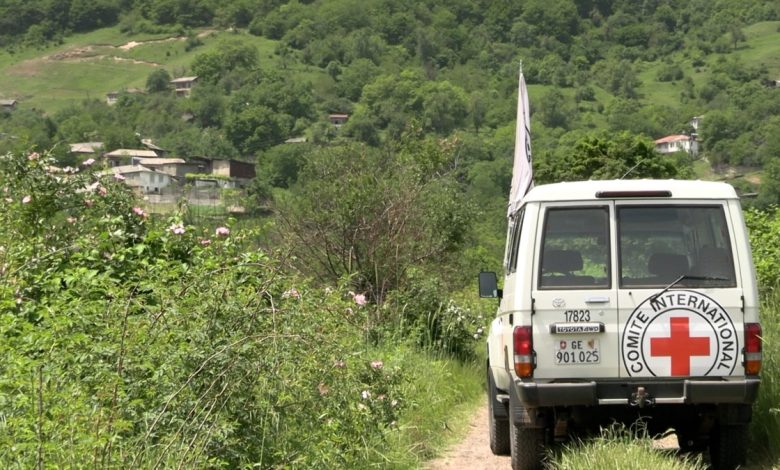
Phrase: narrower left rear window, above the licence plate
x=575 y=249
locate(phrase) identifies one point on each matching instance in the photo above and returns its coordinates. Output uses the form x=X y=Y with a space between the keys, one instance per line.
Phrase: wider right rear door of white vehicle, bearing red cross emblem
x=678 y=290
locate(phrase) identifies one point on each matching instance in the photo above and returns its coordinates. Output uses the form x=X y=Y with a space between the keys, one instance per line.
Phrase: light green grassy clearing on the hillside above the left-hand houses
x=93 y=64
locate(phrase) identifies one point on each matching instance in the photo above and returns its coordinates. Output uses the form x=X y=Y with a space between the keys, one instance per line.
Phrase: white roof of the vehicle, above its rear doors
x=586 y=190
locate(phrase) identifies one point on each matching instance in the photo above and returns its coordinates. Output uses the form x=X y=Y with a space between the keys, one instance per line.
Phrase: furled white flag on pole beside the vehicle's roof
x=522 y=175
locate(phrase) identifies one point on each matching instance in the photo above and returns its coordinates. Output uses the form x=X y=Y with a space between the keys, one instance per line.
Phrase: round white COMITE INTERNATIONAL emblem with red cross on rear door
x=679 y=333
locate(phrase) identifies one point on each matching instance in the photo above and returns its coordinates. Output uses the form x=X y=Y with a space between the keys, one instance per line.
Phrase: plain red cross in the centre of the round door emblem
x=680 y=346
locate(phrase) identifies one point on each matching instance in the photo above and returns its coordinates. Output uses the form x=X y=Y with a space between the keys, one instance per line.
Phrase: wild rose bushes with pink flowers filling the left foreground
x=131 y=341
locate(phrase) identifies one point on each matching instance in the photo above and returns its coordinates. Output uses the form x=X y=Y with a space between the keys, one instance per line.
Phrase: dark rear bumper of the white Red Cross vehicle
x=619 y=392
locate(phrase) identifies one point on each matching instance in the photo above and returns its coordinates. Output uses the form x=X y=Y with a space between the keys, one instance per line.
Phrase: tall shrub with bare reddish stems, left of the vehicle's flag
x=373 y=215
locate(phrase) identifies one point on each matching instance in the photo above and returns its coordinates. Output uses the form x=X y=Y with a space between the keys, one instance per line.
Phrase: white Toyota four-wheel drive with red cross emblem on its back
x=624 y=300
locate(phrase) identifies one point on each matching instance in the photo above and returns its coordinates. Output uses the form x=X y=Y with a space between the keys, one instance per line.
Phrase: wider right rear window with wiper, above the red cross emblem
x=658 y=245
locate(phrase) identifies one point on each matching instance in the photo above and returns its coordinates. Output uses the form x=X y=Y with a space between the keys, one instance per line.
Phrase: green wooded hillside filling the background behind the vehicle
x=606 y=78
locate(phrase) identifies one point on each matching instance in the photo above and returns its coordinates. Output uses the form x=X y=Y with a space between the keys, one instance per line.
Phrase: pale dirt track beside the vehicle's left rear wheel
x=473 y=452
